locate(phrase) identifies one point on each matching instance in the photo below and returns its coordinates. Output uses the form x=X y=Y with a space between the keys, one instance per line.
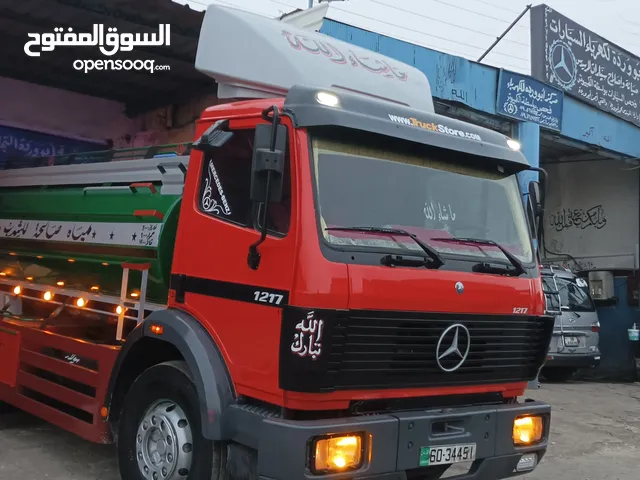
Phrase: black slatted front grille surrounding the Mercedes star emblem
x=382 y=350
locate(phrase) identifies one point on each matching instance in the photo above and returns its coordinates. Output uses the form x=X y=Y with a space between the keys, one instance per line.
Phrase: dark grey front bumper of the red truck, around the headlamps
x=283 y=445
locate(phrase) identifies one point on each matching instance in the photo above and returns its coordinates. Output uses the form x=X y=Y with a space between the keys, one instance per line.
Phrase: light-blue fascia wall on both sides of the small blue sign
x=473 y=84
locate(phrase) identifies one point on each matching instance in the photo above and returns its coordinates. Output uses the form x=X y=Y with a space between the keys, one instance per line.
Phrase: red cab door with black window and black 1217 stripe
x=211 y=278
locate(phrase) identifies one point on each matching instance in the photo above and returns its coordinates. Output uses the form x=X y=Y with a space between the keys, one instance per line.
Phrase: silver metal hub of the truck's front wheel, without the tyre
x=164 y=442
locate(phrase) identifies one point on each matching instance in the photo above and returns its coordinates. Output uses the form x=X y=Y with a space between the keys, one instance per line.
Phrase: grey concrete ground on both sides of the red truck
x=595 y=436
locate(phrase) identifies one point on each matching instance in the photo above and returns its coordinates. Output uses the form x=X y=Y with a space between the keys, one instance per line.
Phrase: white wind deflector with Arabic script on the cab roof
x=251 y=56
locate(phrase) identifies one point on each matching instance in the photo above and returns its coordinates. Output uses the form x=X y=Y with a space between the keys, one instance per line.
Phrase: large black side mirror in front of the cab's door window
x=268 y=163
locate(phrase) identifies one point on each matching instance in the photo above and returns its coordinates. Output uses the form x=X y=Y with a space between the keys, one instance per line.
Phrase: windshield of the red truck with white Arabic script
x=366 y=180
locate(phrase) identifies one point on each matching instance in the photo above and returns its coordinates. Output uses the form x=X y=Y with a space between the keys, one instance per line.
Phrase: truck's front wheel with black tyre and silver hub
x=159 y=434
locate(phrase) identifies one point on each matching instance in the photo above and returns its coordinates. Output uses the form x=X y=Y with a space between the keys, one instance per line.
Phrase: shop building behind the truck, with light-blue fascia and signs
x=588 y=146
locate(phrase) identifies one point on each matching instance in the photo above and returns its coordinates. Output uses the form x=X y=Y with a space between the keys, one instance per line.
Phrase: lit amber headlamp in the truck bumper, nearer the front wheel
x=338 y=453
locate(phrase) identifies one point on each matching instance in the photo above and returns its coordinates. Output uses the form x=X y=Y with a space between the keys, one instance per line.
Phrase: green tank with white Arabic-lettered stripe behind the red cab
x=95 y=222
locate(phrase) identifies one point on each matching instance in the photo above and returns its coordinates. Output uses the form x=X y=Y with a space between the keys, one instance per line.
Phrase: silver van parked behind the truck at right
x=575 y=340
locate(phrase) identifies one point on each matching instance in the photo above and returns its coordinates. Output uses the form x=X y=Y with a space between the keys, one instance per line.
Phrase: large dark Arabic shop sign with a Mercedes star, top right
x=583 y=64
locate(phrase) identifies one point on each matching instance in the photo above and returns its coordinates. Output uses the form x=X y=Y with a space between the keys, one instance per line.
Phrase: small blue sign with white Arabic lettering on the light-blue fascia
x=524 y=98
